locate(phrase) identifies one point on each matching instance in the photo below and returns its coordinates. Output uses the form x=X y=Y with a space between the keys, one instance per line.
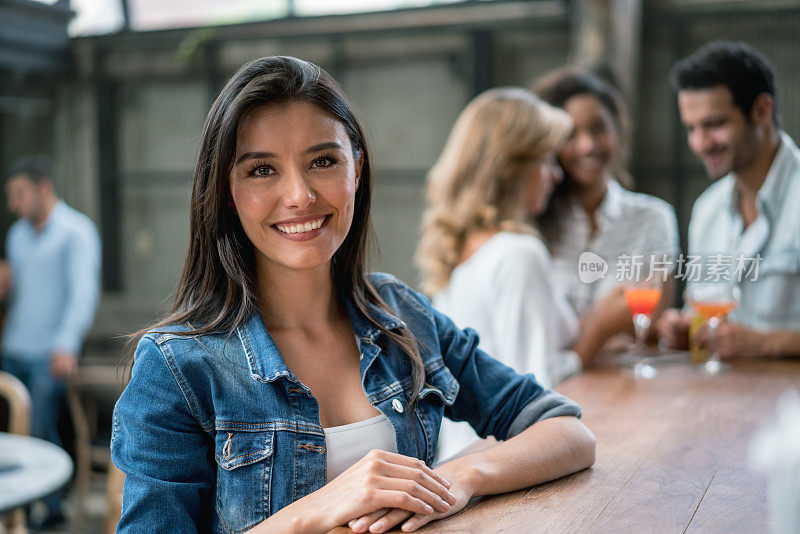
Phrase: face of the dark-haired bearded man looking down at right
x=717 y=130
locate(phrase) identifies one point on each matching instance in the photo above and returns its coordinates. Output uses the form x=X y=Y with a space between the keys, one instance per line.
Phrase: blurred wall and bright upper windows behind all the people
x=117 y=91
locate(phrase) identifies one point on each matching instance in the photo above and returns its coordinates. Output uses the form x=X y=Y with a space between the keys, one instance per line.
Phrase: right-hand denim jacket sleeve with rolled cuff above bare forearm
x=492 y=397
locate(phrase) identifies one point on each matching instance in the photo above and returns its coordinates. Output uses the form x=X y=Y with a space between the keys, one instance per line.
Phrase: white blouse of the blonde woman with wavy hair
x=505 y=292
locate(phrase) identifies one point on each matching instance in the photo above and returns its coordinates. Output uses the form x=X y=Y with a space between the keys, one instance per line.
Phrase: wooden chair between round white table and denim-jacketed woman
x=89 y=390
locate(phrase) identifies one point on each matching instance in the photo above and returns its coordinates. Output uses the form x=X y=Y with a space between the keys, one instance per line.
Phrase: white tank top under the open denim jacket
x=347 y=444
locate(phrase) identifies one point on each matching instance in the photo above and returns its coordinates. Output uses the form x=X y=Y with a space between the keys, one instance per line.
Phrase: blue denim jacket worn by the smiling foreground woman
x=215 y=433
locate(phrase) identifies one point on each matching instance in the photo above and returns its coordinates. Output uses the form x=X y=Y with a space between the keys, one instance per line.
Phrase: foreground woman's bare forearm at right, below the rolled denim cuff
x=547 y=450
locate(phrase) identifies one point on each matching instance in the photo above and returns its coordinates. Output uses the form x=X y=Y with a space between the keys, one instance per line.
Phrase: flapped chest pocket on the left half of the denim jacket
x=244 y=477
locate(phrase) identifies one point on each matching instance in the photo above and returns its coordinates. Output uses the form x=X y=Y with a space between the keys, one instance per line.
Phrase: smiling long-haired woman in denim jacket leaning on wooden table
x=288 y=390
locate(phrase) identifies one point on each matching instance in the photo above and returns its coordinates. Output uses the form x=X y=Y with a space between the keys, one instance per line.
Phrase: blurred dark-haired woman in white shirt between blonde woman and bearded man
x=591 y=211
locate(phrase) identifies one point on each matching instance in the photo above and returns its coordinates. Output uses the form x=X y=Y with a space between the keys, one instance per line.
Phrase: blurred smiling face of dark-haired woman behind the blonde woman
x=588 y=154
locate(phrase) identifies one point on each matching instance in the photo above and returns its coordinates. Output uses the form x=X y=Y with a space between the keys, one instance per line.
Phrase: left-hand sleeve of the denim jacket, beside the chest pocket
x=161 y=447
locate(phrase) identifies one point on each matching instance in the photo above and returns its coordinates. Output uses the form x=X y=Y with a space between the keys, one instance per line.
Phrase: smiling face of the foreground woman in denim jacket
x=293 y=185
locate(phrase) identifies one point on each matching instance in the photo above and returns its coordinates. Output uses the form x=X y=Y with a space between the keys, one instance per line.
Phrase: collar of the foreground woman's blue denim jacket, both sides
x=265 y=360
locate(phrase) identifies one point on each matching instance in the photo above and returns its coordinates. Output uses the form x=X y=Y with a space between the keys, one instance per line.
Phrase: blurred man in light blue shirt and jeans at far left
x=50 y=282
